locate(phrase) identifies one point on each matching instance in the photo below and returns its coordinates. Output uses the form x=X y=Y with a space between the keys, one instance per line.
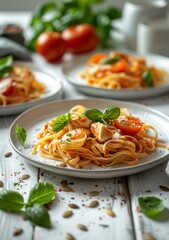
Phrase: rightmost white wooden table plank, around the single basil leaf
x=148 y=184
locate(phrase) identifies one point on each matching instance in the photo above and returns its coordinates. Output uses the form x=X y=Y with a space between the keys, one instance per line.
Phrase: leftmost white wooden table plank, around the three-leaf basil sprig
x=11 y=169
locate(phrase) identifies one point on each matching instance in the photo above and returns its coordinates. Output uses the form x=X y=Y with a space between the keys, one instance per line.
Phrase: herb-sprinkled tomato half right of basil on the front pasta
x=128 y=125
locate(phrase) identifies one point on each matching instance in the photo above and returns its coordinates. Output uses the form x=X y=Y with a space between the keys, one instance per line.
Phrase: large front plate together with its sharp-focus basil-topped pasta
x=75 y=138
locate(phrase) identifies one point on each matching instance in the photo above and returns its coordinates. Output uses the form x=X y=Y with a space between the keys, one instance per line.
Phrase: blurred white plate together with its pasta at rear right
x=119 y=75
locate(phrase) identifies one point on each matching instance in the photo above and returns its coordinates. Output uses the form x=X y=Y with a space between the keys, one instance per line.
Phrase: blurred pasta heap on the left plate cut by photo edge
x=19 y=86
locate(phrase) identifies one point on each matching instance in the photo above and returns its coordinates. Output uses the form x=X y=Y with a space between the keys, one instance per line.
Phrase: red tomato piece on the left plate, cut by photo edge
x=6 y=86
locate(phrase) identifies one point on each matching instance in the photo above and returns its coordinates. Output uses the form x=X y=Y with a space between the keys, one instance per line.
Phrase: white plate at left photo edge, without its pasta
x=53 y=90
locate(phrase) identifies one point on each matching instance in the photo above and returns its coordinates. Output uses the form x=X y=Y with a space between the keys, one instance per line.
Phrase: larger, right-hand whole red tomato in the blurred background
x=80 y=38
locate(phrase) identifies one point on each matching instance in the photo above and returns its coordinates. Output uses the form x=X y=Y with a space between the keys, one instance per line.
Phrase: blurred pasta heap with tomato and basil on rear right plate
x=119 y=70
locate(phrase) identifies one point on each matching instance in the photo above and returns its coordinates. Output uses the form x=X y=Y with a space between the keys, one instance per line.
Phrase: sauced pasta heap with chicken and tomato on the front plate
x=82 y=141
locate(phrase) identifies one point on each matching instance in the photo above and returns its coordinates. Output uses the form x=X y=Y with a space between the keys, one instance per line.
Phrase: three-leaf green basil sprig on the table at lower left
x=41 y=194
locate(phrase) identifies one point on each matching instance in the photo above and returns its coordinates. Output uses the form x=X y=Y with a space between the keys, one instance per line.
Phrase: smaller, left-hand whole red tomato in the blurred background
x=51 y=46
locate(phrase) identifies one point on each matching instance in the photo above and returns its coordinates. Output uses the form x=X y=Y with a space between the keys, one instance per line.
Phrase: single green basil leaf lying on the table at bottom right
x=151 y=206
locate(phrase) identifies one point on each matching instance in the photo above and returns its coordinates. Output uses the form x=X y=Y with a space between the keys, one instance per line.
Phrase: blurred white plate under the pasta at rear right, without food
x=73 y=68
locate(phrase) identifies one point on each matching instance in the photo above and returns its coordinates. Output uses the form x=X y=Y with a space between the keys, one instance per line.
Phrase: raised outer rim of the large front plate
x=144 y=166
